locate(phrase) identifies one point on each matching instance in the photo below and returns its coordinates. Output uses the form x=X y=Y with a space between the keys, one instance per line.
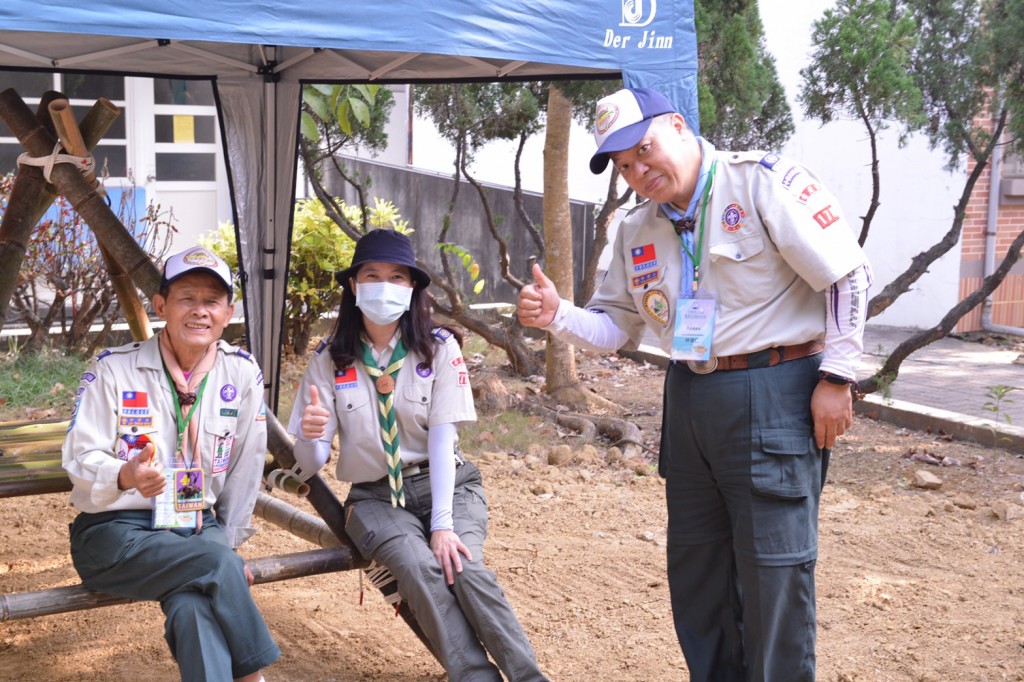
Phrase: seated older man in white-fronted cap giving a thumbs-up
x=166 y=450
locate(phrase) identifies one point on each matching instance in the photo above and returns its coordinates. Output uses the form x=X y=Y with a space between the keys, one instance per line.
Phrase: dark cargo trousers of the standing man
x=743 y=486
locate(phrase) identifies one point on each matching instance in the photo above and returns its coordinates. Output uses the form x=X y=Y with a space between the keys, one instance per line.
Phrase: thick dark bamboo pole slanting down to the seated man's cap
x=109 y=231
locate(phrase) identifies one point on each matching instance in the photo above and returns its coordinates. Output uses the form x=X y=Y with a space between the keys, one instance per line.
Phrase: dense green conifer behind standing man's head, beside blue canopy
x=741 y=101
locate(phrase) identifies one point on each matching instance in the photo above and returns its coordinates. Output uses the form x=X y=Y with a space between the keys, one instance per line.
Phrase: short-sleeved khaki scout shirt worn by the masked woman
x=425 y=396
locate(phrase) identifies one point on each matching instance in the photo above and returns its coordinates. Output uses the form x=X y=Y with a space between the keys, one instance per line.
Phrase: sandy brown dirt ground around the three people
x=916 y=585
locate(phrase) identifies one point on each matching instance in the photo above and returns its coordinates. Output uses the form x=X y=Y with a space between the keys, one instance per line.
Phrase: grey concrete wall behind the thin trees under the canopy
x=422 y=198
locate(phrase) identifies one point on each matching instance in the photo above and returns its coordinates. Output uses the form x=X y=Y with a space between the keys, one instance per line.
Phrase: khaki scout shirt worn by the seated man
x=125 y=399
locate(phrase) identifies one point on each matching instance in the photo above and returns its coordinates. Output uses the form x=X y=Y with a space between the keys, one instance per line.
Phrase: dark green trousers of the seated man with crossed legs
x=214 y=628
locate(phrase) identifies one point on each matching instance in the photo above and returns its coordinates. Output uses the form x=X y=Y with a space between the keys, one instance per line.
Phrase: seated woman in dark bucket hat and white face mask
x=394 y=388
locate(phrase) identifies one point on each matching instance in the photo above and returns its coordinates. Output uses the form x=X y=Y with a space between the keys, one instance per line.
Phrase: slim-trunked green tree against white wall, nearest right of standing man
x=861 y=70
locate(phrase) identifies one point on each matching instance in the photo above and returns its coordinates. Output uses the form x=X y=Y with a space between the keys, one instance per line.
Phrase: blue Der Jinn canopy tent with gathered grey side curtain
x=260 y=54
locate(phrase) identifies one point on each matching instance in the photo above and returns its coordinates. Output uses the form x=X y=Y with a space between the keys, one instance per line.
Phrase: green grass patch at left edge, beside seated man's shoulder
x=40 y=380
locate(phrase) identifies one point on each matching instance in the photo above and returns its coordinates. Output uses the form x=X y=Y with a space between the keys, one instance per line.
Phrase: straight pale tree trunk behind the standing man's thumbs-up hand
x=561 y=370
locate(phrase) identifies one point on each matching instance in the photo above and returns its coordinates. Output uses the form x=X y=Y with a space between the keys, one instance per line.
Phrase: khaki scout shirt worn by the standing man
x=775 y=238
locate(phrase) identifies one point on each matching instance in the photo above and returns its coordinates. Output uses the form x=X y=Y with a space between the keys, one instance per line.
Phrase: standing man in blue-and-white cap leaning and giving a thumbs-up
x=744 y=268
